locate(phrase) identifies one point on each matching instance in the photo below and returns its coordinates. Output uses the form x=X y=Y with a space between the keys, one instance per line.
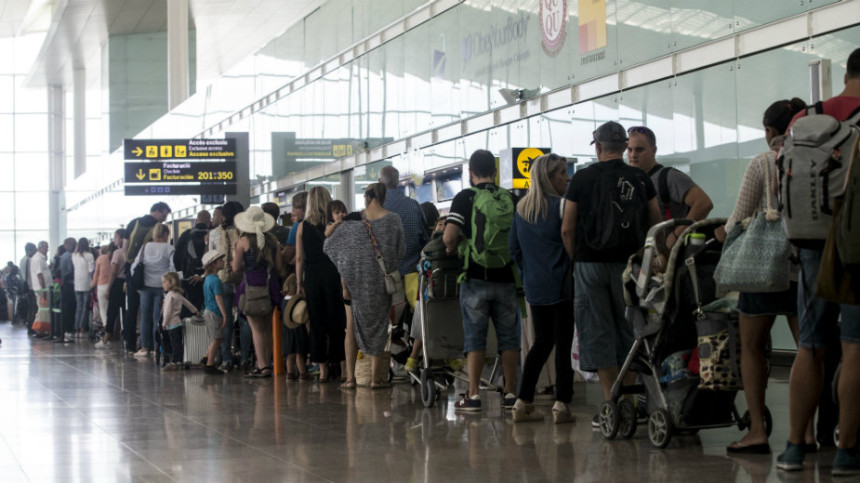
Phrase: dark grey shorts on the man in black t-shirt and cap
x=605 y=335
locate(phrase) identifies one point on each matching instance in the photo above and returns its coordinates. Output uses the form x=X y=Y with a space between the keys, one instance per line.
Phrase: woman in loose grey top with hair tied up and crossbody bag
x=351 y=248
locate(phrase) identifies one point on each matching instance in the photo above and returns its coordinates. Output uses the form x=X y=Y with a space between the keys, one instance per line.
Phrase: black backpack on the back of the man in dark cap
x=617 y=217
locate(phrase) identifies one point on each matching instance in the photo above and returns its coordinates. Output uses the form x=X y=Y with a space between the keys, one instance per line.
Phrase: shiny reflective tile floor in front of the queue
x=69 y=413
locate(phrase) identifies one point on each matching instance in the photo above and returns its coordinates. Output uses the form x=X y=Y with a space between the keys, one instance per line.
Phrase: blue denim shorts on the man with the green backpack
x=481 y=300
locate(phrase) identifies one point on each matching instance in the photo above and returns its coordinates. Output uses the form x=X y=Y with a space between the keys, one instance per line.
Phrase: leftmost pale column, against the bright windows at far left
x=56 y=155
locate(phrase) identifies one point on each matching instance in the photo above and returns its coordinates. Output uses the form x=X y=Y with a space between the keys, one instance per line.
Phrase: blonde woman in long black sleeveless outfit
x=318 y=280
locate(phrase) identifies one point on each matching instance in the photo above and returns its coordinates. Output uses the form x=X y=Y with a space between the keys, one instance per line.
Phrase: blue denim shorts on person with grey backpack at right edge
x=817 y=317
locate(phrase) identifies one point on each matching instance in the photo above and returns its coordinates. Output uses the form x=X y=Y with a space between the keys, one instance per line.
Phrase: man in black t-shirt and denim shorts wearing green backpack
x=485 y=291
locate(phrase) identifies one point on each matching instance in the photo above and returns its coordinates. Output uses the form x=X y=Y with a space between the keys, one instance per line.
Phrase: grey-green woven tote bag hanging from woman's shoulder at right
x=756 y=256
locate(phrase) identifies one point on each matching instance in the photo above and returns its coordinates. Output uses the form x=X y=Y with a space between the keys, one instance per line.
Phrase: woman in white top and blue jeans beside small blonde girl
x=157 y=259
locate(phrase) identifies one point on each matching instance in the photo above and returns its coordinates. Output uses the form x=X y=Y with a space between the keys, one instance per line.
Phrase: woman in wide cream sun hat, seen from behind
x=258 y=256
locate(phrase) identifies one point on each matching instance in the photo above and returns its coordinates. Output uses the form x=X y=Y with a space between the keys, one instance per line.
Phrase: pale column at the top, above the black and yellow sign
x=177 y=52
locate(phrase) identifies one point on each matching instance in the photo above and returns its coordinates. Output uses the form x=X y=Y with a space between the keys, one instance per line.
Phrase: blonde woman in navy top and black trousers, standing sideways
x=537 y=225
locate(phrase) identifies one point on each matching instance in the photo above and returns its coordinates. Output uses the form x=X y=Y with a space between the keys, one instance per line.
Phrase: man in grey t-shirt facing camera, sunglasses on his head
x=678 y=195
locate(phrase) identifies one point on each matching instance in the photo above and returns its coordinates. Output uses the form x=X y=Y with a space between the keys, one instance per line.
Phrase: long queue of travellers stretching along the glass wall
x=561 y=248
